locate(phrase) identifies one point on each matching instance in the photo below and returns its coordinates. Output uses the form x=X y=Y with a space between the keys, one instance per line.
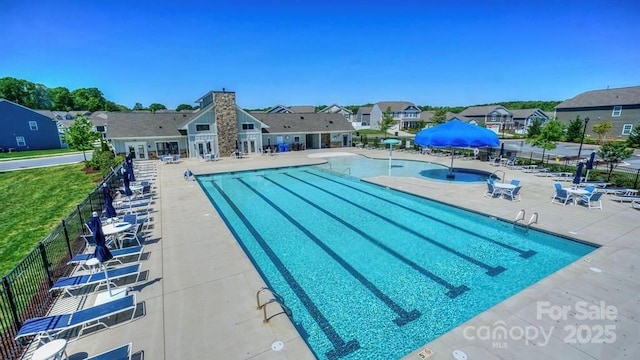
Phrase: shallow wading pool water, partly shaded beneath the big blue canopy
x=362 y=167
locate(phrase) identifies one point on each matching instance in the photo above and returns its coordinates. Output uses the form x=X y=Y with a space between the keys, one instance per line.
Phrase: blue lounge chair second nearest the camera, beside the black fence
x=52 y=326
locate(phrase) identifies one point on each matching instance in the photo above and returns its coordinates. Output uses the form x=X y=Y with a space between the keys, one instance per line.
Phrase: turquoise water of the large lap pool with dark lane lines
x=371 y=273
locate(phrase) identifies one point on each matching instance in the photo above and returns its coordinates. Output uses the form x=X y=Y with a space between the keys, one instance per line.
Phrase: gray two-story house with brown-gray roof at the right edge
x=620 y=106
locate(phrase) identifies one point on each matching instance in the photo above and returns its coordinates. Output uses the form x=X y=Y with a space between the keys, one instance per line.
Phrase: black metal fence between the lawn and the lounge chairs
x=24 y=292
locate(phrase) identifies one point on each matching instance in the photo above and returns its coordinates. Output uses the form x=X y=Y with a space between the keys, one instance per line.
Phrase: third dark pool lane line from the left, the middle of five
x=454 y=291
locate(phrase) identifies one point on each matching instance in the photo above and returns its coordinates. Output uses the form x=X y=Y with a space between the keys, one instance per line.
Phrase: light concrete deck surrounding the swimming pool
x=200 y=290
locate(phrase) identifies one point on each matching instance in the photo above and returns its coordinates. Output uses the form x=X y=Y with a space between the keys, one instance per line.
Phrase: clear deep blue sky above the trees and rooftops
x=439 y=53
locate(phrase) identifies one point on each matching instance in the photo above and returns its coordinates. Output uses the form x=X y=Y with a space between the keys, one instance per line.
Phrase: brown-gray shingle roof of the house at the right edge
x=607 y=97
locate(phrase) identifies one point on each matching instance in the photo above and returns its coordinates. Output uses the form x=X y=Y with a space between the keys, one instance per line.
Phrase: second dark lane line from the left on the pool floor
x=404 y=316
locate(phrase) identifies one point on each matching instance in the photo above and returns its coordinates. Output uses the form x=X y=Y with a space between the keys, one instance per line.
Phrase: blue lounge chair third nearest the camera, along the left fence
x=99 y=279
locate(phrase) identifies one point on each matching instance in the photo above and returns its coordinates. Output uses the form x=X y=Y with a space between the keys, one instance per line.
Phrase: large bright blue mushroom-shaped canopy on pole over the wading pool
x=457 y=134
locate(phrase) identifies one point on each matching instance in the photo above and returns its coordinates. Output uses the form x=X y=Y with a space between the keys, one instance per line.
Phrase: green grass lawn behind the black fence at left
x=34 y=201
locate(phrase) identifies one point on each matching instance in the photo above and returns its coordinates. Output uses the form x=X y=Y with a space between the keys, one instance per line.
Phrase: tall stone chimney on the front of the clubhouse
x=224 y=103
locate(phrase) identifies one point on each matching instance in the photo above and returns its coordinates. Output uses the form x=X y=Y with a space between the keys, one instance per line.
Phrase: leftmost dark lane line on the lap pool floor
x=340 y=347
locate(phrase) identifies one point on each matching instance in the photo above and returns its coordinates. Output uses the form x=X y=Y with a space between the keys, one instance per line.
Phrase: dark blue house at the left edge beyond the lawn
x=26 y=129
